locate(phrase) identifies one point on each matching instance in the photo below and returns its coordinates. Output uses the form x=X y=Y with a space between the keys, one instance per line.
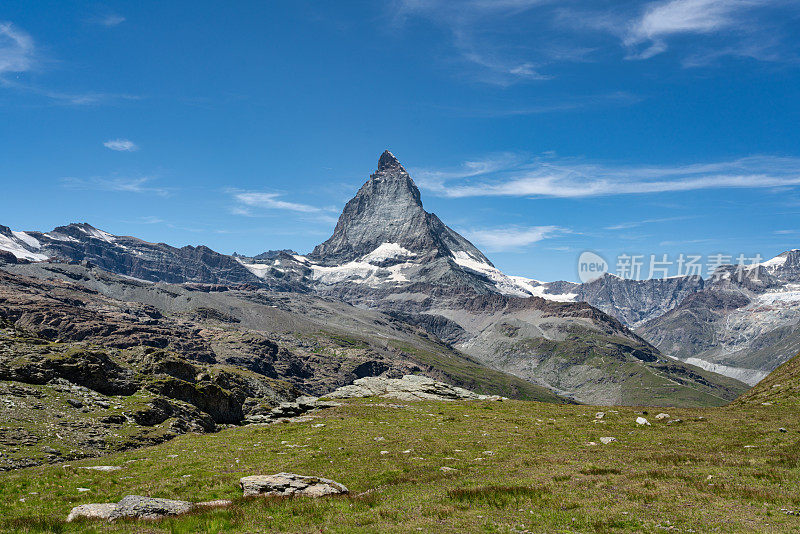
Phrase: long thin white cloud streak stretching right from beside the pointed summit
x=568 y=179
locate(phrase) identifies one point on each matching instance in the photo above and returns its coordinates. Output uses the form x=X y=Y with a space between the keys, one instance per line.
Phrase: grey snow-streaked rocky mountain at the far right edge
x=742 y=324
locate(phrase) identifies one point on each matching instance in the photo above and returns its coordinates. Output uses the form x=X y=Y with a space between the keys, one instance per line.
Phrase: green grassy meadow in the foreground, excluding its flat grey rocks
x=518 y=466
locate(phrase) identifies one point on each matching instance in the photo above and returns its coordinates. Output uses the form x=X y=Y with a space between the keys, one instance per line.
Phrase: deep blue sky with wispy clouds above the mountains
x=538 y=129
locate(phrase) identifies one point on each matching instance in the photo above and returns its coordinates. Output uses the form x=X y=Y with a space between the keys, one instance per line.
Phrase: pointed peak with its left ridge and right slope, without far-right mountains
x=387 y=253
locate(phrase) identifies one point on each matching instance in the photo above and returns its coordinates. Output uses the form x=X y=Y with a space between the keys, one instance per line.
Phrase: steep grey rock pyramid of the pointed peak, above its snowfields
x=388 y=210
